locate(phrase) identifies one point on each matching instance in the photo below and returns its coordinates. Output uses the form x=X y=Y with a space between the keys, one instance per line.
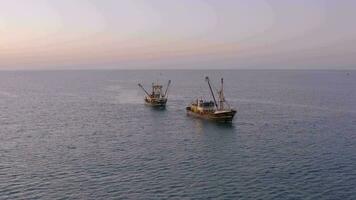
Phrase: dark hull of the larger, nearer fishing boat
x=226 y=116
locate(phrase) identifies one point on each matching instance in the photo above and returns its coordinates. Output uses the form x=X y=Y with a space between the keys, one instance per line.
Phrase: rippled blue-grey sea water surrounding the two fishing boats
x=88 y=135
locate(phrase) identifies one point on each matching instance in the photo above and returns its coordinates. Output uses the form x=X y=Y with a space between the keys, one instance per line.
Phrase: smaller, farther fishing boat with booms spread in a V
x=156 y=98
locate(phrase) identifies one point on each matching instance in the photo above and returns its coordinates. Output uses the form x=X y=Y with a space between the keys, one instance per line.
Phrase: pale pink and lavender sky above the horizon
x=177 y=34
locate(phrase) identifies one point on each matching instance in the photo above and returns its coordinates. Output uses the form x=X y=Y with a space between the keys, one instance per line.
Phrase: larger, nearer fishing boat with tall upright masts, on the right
x=212 y=110
